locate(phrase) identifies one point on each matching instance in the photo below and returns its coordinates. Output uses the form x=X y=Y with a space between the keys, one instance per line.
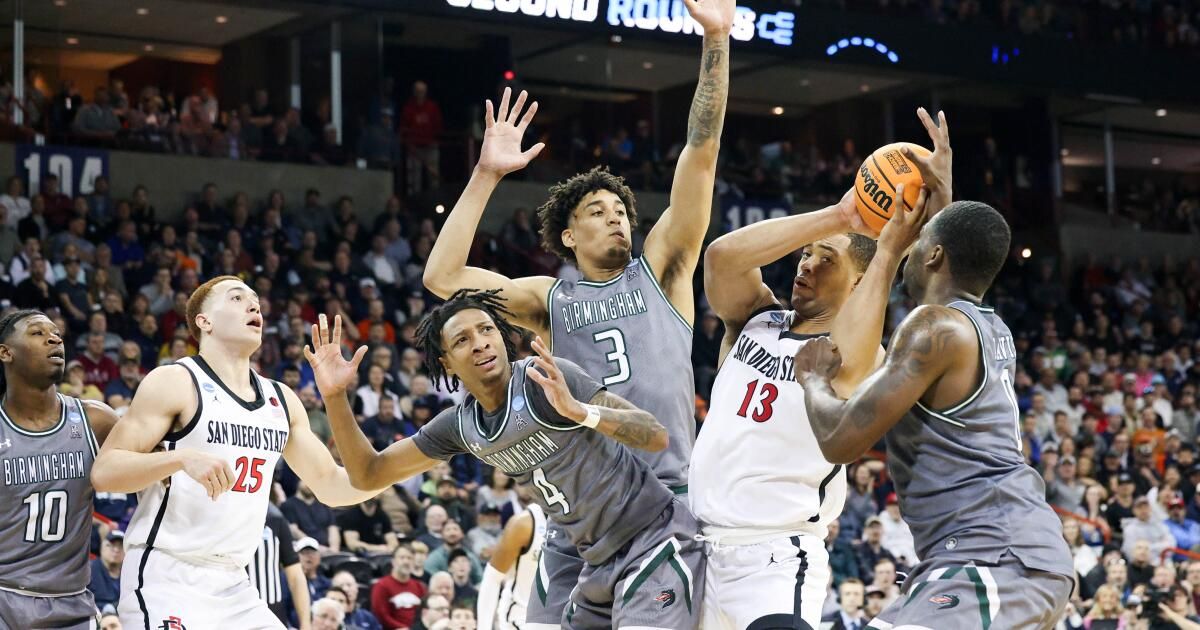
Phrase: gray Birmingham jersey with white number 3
x=627 y=331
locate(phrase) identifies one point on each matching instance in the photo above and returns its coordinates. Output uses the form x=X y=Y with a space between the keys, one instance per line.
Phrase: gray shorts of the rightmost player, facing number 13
x=977 y=596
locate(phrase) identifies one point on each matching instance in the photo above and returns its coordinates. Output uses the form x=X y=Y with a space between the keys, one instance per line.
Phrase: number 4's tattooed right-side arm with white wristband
x=608 y=413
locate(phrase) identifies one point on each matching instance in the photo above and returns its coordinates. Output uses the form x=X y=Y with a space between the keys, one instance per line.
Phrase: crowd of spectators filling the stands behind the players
x=1107 y=380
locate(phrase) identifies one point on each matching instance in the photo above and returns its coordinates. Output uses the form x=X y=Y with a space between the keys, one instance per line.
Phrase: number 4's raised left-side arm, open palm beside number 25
x=365 y=467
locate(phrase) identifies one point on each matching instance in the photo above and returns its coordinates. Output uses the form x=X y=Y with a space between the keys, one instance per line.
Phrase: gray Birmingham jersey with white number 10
x=46 y=503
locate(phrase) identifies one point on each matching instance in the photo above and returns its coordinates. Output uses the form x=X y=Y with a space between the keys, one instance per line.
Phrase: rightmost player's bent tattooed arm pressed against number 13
x=929 y=344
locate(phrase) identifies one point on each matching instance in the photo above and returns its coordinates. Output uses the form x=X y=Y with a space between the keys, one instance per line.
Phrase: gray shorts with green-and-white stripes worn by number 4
x=657 y=581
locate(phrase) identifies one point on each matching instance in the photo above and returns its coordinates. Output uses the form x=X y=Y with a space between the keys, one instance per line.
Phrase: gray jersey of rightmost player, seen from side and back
x=964 y=487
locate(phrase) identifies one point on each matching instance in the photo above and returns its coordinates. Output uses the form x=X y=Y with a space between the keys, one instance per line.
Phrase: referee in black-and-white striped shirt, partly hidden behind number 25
x=277 y=556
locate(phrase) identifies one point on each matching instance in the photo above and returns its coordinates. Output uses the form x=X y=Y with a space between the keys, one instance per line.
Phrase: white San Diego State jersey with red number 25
x=178 y=518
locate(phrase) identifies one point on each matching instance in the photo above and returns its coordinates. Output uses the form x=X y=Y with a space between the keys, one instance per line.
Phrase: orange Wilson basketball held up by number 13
x=875 y=185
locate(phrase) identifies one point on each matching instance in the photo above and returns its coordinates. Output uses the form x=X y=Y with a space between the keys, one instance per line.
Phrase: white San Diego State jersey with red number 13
x=758 y=472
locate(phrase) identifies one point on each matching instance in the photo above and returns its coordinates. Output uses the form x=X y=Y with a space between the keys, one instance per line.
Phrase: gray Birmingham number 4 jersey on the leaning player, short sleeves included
x=589 y=484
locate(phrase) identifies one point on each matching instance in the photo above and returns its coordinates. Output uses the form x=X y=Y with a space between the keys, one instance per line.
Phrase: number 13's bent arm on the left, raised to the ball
x=733 y=279
